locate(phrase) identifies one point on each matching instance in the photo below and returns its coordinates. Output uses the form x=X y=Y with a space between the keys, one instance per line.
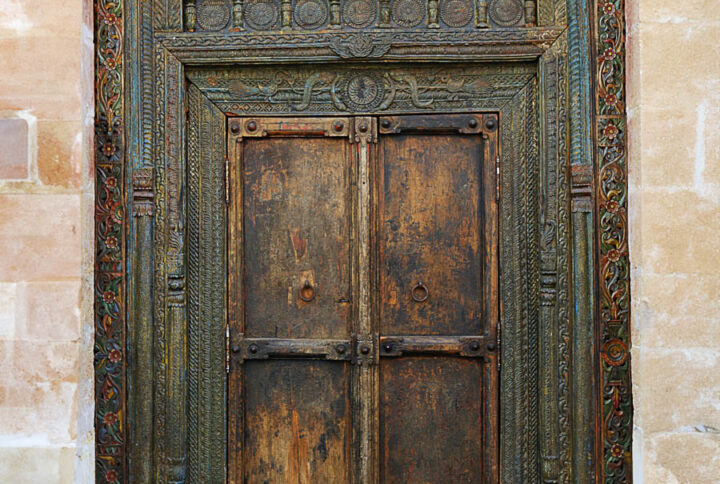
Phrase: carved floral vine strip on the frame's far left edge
x=110 y=219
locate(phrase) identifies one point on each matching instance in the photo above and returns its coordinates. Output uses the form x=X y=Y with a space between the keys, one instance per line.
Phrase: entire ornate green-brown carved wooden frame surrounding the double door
x=564 y=179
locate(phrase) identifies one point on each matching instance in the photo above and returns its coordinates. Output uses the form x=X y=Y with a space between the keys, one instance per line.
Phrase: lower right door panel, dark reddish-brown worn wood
x=431 y=420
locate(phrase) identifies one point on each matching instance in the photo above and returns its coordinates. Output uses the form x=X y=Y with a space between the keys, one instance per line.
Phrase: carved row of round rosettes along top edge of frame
x=353 y=15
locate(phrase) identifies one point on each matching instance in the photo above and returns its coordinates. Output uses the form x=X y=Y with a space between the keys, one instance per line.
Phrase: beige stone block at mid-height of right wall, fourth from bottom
x=675 y=231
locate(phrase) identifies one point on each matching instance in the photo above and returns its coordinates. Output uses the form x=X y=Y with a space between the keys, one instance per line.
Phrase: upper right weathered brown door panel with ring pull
x=431 y=234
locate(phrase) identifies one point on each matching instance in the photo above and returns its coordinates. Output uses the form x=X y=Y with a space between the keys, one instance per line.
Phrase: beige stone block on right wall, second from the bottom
x=677 y=389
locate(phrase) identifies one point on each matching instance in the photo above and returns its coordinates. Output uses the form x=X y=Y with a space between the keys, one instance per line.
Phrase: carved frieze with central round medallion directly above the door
x=372 y=89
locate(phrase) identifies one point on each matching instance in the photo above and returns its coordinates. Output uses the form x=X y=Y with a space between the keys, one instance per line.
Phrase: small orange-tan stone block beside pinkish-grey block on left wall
x=60 y=153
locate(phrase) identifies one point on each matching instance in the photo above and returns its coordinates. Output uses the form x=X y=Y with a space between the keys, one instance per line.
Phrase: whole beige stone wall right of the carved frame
x=674 y=112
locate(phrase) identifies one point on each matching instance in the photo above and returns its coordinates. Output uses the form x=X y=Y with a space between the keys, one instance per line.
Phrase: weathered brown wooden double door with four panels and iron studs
x=363 y=301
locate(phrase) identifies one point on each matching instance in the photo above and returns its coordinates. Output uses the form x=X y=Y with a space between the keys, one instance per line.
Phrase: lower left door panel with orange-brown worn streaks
x=298 y=417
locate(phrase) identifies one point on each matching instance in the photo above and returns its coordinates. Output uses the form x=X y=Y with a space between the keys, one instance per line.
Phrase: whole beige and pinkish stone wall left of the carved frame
x=46 y=241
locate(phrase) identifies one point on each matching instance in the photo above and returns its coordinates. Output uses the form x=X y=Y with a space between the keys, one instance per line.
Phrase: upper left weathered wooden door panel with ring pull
x=296 y=225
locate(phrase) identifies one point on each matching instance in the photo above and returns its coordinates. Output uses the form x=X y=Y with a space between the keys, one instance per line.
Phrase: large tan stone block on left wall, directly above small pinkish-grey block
x=41 y=74
